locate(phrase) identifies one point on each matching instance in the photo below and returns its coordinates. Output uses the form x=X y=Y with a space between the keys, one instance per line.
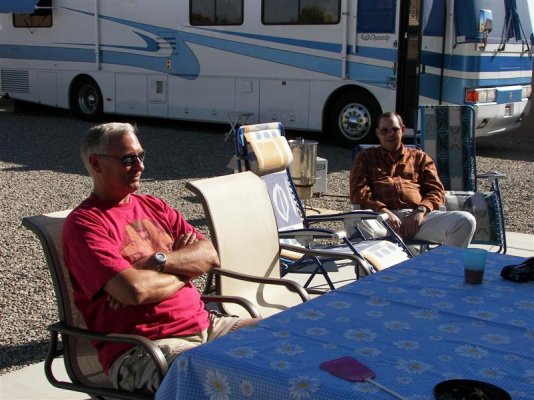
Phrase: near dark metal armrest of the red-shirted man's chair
x=154 y=351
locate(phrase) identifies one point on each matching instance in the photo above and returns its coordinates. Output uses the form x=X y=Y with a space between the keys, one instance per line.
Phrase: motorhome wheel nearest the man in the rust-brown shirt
x=353 y=118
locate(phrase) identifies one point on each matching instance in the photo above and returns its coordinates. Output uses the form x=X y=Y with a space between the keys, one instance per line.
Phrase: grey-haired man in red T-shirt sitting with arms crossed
x=131 y=259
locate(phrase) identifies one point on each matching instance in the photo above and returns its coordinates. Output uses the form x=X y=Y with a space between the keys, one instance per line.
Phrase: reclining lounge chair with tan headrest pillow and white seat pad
x=264 y=150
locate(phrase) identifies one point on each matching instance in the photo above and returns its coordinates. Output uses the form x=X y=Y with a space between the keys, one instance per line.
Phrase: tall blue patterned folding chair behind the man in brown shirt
x=447 y=134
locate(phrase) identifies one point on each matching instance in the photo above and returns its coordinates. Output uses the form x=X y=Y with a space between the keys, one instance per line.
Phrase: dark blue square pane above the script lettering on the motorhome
x=377 y=16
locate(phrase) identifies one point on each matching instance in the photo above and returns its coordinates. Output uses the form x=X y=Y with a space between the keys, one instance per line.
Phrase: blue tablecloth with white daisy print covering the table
x=415 y=325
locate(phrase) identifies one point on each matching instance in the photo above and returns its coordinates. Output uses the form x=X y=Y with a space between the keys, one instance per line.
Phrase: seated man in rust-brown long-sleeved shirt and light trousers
x=404 y=184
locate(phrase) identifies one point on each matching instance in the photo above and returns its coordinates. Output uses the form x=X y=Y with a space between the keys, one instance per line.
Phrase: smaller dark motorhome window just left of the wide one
x=216 y=12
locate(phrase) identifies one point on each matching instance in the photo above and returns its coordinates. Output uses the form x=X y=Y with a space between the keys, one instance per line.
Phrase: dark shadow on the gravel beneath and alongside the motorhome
x=42 y=138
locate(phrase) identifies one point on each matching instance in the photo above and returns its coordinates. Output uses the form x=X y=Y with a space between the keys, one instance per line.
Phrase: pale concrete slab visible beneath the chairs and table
x=29 y=383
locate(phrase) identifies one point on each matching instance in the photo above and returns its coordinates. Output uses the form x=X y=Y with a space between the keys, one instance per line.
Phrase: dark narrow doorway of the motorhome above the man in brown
x=408 y=60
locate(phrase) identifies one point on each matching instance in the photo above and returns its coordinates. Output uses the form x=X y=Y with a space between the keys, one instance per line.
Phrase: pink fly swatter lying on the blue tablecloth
x=352 y=370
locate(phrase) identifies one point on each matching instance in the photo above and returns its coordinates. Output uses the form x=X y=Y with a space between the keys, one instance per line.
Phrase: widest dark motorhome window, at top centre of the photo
x=300 y=12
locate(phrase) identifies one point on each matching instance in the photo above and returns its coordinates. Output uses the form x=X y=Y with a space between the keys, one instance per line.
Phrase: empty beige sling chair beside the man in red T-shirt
x=243 y=230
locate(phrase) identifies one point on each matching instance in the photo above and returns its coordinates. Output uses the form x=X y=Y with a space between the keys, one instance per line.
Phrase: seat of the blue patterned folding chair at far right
x=485 y=210
